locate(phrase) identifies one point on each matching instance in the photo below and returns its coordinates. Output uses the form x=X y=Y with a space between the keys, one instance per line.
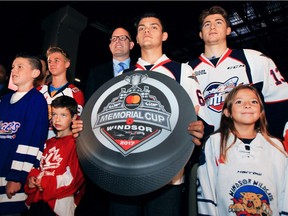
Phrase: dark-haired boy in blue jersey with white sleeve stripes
x=23 y=131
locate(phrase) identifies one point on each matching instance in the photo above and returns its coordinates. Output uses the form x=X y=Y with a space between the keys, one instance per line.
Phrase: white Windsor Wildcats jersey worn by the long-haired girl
x=252 y=181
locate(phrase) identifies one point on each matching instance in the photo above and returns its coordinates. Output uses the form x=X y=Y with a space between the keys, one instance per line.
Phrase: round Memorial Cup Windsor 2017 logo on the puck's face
x=129 y=118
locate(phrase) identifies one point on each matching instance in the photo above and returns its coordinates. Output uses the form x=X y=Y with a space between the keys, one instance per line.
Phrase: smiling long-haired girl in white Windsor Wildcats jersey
x=243 y=170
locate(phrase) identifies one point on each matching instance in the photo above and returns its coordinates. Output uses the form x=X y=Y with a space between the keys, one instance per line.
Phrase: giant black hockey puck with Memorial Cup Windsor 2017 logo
x=135 y=137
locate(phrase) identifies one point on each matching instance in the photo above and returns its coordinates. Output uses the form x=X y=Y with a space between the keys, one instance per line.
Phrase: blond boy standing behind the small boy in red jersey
x=58 y=64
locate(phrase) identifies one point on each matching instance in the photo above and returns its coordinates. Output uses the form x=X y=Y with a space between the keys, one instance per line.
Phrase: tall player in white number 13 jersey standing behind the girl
x=220 y=69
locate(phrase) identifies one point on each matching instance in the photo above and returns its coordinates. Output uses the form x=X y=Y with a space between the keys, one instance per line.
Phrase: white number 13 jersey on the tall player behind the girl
x=243 y=67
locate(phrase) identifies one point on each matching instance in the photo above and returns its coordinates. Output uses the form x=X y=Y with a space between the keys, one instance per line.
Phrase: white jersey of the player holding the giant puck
x=183 y=74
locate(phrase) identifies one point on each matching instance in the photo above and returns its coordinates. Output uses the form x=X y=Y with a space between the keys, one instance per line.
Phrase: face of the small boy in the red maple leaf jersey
x=61 y=120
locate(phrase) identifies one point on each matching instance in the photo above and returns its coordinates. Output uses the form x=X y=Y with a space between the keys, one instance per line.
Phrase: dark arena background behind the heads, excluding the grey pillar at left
x=260 y=25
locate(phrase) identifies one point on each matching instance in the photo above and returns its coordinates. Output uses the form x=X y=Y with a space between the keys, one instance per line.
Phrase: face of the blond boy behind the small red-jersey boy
x=57 y=63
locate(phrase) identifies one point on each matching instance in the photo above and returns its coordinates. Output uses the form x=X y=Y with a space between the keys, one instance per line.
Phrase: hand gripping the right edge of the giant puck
x=196 y=129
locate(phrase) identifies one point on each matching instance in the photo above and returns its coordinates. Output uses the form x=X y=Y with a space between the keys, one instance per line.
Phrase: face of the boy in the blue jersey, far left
x=22 y=72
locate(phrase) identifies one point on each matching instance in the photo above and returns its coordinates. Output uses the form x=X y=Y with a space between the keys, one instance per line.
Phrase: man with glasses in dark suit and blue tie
x=120 y=46
